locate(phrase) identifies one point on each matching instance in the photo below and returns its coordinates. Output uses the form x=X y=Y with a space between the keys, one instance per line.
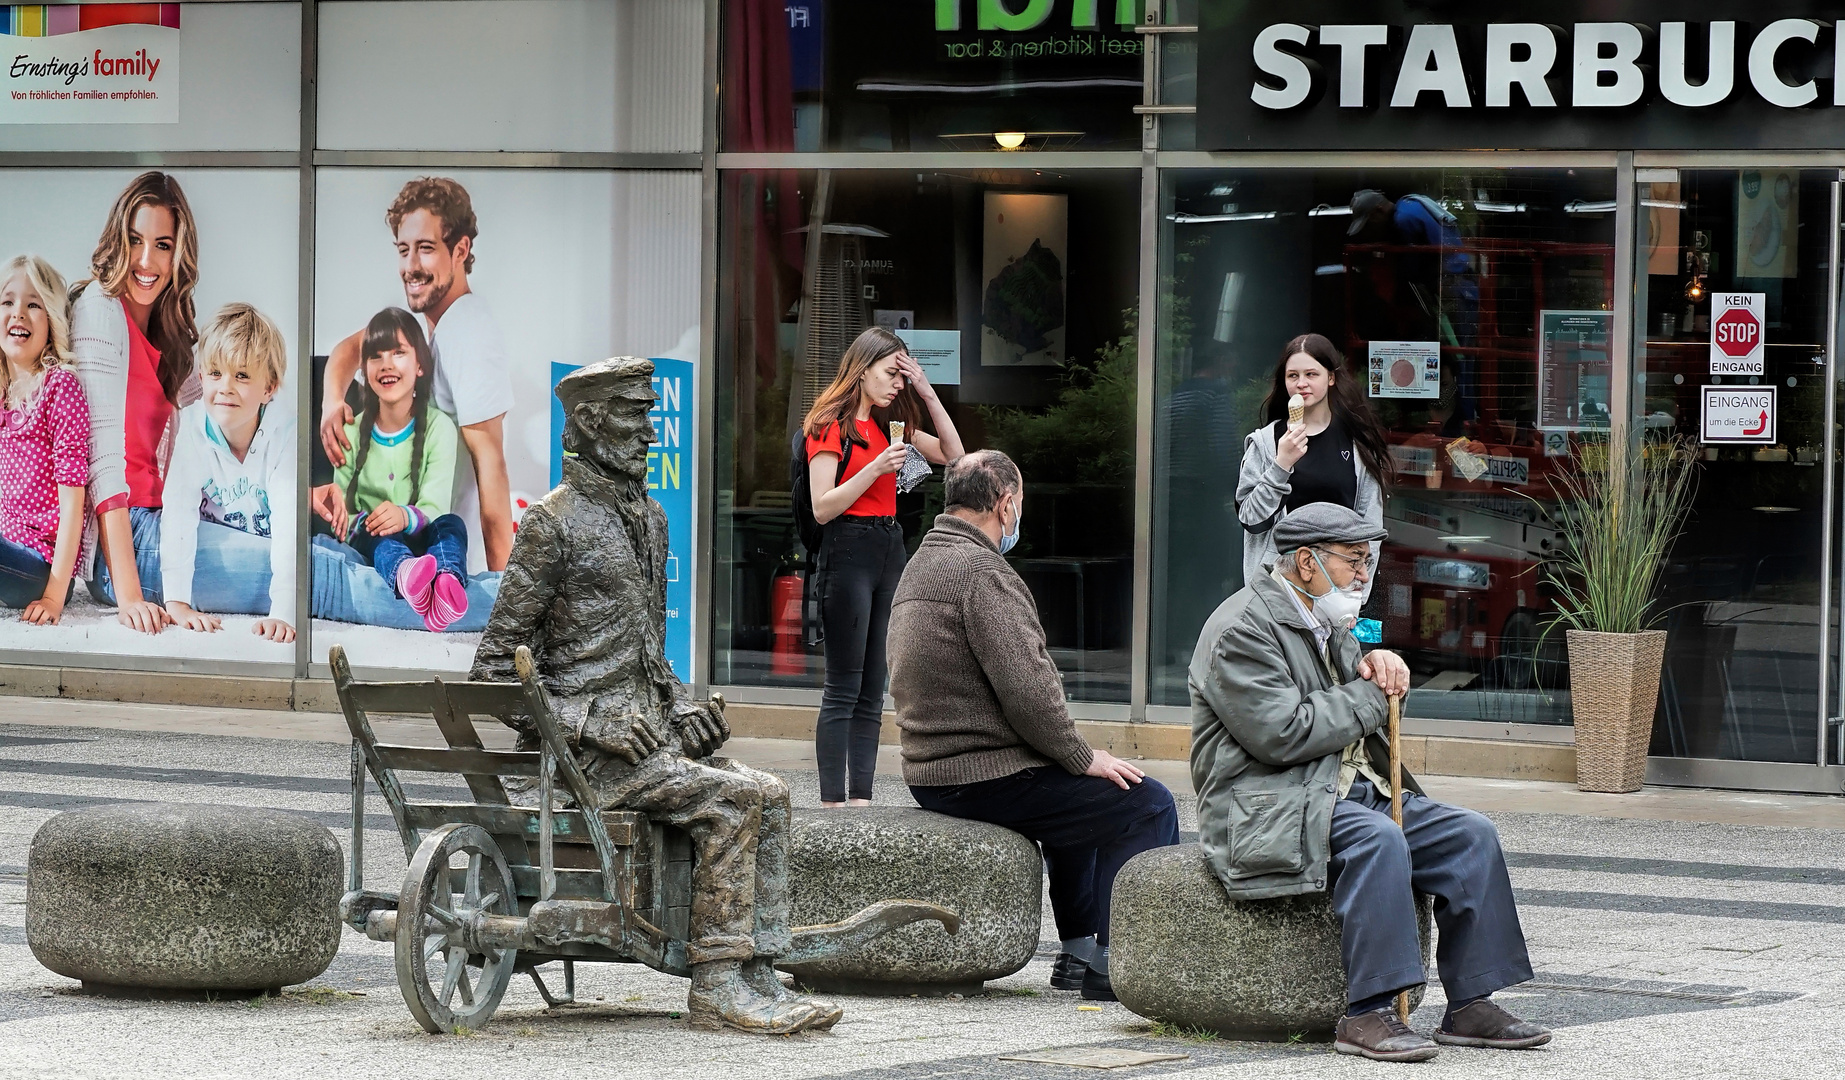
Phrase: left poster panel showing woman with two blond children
x=149 y=446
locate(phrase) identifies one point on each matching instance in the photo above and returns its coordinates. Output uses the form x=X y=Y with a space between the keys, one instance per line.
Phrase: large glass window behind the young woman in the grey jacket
x=1481 y=350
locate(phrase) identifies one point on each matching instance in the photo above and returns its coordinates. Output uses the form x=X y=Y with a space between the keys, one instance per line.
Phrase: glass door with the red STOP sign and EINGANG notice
x=1741 y=590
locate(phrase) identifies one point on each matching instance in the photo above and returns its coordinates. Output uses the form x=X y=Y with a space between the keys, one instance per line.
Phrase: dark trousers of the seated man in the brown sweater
x=1089 y=828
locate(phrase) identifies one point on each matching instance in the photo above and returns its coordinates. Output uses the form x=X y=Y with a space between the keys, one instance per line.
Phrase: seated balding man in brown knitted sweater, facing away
x=986 y=732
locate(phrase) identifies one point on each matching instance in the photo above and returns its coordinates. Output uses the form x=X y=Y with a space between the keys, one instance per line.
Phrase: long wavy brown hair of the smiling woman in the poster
x=173 y=328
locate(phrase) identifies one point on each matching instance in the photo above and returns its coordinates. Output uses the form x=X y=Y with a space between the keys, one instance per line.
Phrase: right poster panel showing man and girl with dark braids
x=442 y=307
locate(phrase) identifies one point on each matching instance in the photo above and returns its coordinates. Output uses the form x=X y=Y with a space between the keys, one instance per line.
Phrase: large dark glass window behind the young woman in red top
x=809 y=259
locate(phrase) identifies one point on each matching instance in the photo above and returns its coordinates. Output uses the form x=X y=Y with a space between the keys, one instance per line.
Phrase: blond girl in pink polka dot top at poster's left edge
x=45 y=442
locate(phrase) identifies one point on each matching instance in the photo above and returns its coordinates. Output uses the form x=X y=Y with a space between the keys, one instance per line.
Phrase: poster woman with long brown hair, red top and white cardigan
x=134 y=330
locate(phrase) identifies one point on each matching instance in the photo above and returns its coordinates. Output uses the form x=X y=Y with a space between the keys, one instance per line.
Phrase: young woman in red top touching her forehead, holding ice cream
x=863 y=555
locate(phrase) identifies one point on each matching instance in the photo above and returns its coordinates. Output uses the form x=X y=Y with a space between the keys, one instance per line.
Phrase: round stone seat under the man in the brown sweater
x=992 y=878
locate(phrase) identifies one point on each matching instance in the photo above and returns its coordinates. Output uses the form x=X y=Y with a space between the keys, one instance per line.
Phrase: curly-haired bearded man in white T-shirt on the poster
x=434 y=228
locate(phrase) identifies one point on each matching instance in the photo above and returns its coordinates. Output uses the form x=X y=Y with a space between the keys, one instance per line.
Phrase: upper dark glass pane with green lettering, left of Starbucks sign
x=946 y=75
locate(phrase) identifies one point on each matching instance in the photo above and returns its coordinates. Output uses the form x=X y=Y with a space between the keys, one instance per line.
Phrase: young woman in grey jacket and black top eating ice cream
x=1324 y=450
